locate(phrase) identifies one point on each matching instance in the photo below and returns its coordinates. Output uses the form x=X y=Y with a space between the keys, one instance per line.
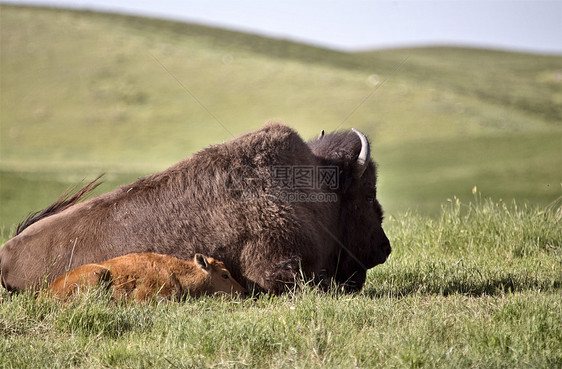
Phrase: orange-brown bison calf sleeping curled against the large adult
x=143 y=276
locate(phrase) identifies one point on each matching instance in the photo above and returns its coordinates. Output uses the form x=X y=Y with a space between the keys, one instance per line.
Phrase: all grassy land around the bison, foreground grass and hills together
x=467 y=285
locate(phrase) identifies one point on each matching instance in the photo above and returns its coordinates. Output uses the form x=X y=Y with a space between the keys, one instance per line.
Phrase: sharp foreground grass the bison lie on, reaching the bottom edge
x=479 y=286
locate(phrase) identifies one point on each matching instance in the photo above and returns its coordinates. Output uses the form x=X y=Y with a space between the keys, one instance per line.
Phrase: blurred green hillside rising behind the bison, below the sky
x=84 y=93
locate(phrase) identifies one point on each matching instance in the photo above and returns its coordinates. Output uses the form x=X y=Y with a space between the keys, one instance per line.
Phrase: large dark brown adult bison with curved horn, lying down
x=270 y=206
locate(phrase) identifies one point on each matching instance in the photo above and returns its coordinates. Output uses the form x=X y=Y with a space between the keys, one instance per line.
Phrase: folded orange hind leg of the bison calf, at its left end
x=82 y=277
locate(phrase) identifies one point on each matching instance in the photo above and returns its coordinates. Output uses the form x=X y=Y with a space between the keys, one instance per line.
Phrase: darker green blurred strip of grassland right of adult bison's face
x=511 y=166
